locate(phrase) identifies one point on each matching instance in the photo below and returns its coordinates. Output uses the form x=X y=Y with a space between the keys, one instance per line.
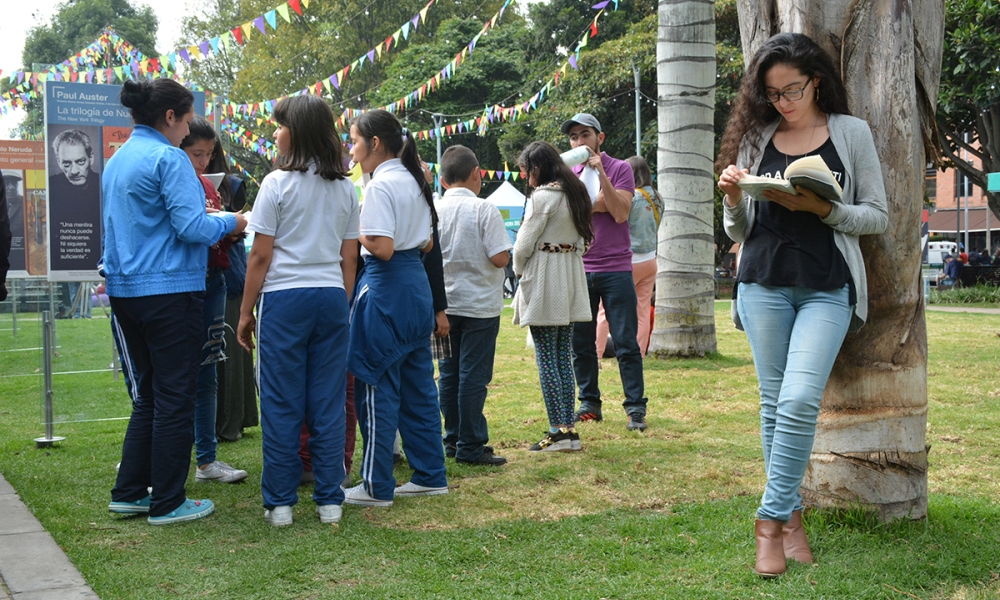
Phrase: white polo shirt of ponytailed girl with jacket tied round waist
x=394 y=207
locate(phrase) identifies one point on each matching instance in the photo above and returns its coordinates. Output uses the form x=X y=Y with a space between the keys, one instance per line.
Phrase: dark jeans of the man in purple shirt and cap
x=617 y=291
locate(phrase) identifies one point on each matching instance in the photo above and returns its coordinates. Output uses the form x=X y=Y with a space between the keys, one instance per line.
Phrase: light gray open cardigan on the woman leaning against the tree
x=863 y=211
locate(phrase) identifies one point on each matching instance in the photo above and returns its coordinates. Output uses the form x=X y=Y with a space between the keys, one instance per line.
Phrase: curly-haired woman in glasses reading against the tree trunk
x=801 y=282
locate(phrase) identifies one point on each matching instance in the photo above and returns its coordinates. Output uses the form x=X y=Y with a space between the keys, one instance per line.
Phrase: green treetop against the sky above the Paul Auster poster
x=75 y=25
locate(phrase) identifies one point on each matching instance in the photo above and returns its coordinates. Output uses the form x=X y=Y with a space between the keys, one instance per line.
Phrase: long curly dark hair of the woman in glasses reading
x=752 y=112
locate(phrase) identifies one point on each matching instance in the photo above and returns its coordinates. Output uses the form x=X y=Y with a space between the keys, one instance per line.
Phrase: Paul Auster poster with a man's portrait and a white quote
x=84 y=125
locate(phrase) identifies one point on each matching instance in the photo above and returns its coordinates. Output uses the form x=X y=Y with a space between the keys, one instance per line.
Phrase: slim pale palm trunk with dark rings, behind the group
x=685 y=279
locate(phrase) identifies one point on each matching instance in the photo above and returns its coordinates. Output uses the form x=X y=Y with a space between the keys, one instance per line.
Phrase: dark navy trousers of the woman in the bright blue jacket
x=163 y=338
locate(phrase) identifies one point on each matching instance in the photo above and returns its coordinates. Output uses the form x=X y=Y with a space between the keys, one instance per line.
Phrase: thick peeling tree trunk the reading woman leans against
x=870 y=442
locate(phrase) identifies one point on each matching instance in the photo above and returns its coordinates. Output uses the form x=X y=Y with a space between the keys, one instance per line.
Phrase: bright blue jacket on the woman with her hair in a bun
x=156 y=231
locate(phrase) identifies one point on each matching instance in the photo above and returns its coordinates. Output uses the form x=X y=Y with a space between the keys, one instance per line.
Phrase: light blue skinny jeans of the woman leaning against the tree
x=795 y=335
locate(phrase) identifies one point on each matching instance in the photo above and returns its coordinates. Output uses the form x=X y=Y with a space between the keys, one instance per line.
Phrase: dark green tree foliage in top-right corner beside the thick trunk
x=968 y=114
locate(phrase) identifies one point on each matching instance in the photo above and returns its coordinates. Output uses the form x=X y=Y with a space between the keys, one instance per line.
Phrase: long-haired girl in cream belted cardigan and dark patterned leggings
x=552 y=294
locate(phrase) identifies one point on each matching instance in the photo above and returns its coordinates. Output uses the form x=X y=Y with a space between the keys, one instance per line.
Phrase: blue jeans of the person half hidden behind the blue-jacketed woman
x=212 y=348
